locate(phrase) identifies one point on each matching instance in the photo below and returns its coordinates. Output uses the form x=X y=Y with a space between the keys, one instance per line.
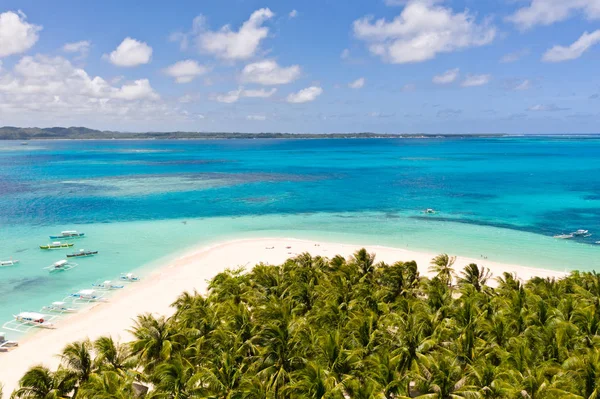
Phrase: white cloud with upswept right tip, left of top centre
x=231 y=45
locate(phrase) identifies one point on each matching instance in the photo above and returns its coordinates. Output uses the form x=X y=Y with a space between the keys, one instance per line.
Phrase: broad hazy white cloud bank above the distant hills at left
x=52 y=89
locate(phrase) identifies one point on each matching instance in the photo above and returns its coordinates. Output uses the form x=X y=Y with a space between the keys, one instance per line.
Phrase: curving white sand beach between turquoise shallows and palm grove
x=190 y=272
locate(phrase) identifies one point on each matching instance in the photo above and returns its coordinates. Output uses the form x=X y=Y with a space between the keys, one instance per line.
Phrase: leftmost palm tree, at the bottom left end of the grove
x=41 y=383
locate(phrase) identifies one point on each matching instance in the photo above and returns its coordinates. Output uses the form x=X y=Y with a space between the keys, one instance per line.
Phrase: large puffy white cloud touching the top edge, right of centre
x=422 y=31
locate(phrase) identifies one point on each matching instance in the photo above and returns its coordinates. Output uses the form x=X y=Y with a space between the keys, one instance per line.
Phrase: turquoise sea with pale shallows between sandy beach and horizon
x=141 y=202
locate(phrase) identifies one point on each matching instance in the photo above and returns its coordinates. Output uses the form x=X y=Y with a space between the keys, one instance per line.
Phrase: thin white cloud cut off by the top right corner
x=547 y=12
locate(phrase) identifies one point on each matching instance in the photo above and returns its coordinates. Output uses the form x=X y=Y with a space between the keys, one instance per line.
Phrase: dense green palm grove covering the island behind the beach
x=349 y=328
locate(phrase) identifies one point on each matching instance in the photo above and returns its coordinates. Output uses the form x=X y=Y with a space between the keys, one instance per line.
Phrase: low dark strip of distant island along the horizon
x=83 y=133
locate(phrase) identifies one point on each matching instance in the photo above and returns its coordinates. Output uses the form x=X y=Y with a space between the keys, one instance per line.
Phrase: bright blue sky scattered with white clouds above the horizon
x=396 y=66
